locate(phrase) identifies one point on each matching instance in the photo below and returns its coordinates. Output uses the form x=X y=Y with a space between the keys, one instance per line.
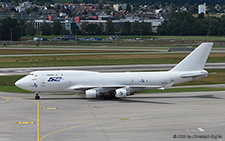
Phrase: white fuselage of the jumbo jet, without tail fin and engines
x=66 y=81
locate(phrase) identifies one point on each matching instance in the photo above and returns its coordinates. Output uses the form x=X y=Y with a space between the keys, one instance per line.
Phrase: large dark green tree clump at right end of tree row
x=183 y=23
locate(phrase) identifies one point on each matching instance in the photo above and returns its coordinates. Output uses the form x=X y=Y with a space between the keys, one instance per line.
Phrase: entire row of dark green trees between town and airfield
x=178 y=24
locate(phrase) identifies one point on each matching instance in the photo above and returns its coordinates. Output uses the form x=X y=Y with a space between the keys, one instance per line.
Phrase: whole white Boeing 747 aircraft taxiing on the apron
x=95 y=84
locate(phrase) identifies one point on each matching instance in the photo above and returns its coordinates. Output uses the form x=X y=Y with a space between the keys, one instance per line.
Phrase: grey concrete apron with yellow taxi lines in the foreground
x=147 y=117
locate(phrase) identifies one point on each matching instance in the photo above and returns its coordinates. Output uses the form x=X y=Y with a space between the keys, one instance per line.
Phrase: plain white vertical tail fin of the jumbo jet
x=196 y=59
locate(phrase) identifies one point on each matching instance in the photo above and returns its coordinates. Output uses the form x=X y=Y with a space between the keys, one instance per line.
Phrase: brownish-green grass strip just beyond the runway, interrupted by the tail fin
x=109 y=59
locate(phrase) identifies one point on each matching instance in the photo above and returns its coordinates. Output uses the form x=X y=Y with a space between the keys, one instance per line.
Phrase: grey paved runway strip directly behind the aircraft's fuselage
x=104 y=68
